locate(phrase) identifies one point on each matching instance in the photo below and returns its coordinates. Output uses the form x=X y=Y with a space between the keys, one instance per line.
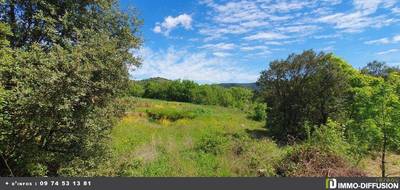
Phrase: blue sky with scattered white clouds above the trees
x=218 y=41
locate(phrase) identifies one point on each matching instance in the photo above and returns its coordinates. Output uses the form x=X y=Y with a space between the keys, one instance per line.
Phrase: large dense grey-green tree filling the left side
x=70 y=62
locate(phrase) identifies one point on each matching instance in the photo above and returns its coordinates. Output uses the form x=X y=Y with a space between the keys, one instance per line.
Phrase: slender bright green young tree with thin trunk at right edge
x=374 y=115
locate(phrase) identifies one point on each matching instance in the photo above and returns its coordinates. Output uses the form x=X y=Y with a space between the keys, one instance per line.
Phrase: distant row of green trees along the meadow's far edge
x=189 y=91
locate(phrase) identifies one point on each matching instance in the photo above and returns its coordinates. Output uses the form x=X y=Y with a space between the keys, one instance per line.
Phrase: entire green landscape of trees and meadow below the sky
x=68 y=108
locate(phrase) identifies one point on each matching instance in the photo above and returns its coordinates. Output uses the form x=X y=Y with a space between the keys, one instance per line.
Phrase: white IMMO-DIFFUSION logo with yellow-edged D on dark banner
x=332 y=183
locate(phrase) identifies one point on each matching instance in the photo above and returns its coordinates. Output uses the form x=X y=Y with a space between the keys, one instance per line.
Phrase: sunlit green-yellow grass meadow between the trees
x=159 y=138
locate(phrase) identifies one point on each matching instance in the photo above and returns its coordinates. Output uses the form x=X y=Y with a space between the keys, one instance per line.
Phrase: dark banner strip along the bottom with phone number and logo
x=239 y=183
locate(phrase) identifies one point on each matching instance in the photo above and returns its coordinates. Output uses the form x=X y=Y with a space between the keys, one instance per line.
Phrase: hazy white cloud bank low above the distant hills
x=198 y=66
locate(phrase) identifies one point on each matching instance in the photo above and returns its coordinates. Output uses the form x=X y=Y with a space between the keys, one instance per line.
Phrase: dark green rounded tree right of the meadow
x=308 y=87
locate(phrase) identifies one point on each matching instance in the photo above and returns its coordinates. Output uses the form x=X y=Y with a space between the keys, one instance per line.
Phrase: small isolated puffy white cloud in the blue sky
x=171 y=23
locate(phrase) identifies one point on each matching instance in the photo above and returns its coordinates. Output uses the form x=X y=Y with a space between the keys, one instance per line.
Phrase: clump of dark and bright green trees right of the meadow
x=306 y=91
